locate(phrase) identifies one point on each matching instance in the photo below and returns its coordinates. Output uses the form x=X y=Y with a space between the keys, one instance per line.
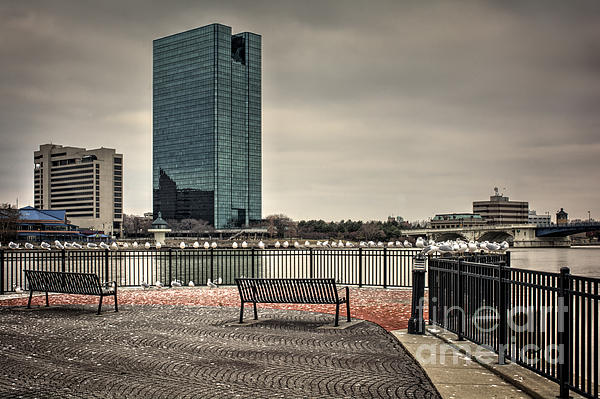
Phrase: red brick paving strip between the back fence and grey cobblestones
x=390 y=308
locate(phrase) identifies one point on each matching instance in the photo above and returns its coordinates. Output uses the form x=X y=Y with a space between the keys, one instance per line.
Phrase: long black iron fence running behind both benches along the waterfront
x=363 y=267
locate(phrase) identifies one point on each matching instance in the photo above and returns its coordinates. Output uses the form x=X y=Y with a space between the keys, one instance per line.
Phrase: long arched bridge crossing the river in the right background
x=521 y=235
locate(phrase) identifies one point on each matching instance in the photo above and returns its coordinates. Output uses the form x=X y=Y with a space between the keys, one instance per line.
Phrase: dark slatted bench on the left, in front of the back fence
x=69 y=283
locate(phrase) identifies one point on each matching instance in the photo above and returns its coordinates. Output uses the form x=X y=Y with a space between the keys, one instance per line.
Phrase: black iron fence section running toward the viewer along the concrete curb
x=546 y=322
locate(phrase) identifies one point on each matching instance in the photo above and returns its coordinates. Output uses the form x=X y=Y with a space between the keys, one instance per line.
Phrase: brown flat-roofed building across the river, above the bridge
x=500 y=210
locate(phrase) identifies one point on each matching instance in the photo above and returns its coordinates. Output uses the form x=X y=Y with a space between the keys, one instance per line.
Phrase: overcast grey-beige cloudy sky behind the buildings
x=369 y=108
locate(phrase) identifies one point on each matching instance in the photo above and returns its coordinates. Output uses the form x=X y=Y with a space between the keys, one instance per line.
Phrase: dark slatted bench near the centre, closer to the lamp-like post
x=291 y=290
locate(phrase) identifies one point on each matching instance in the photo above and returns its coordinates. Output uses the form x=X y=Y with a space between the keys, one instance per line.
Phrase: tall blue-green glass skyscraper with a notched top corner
x=207 y=126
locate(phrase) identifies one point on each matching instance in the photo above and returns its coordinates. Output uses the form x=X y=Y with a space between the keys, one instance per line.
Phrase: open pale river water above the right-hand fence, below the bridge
x=583 y=261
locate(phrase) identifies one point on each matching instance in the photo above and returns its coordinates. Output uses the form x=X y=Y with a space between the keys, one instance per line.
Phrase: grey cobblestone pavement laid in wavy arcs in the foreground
x=162 y=351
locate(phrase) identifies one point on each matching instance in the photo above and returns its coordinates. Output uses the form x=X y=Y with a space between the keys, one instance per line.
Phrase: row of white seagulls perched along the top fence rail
x=427 y=247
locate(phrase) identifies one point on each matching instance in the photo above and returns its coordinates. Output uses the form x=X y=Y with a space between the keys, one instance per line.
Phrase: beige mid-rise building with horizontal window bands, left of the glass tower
x=88 y=184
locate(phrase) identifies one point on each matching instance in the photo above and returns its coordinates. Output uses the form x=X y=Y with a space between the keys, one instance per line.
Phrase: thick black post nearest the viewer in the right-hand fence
x=564 y=332
